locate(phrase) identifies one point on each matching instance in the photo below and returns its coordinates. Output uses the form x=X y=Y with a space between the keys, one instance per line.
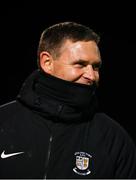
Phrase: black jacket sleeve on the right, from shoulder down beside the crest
x=118 y=144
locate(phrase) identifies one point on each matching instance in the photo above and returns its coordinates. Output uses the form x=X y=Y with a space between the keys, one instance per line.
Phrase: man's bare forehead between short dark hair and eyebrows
x=81 y=49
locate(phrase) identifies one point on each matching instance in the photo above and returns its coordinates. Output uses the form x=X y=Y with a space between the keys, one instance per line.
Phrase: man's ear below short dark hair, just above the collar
x=46 y=62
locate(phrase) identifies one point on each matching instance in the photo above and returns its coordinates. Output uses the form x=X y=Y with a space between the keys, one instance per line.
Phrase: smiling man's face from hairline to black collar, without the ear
x=78 y=62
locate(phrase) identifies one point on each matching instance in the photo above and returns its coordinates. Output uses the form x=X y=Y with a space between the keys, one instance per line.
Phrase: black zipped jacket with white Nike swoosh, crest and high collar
x=56 y=131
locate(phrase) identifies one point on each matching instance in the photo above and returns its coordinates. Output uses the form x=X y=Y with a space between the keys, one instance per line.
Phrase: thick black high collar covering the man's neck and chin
x=57 y=99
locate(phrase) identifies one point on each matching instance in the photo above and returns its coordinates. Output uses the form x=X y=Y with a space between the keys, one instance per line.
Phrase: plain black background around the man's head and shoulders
x=20 y=29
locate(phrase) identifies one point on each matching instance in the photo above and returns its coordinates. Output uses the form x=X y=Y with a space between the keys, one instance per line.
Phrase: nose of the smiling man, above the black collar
x=89 y=73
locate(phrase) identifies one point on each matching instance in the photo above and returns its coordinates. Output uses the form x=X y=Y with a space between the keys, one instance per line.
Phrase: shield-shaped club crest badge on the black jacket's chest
x=82 y=163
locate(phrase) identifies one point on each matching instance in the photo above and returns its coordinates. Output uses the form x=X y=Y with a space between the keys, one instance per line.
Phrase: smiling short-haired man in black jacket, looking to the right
x=53 y=129
